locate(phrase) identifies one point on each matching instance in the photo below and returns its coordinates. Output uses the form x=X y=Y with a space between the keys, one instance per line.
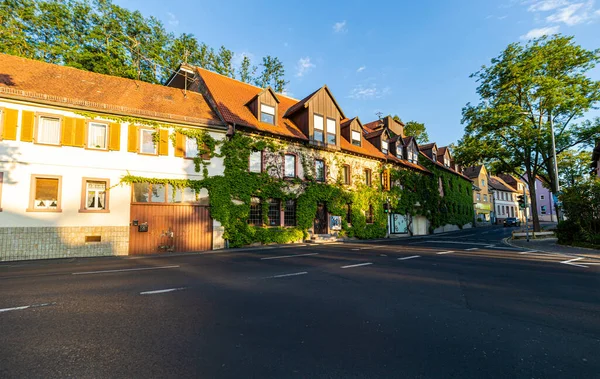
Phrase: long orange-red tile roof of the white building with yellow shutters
x=59 y=85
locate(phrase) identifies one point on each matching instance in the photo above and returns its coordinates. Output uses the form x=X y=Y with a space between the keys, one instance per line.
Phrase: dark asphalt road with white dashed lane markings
x=458 y=305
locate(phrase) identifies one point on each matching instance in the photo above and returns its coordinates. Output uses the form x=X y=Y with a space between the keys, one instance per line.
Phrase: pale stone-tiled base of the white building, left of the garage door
x=25 y=243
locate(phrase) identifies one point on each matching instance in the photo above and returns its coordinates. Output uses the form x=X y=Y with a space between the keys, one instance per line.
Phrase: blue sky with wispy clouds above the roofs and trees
x=411 y=58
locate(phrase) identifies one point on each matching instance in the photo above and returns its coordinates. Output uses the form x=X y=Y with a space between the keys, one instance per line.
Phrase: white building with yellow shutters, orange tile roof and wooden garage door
x=68 y=137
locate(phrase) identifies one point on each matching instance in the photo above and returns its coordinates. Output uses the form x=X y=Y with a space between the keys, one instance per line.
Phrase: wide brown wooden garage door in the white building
x=171 y=228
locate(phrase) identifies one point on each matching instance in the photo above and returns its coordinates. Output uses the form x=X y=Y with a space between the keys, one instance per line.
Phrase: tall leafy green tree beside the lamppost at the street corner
x=522 y=91
